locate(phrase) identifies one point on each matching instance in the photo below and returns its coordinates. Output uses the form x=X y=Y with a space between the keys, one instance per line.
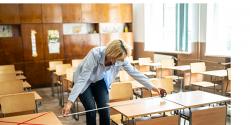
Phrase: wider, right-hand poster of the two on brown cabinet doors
x=53 y=41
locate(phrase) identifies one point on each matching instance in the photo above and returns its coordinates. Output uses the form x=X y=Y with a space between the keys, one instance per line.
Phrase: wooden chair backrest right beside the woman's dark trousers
x=121 y=91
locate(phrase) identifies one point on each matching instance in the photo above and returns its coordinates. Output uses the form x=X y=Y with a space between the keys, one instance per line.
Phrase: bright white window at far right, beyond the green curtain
x=219 y=28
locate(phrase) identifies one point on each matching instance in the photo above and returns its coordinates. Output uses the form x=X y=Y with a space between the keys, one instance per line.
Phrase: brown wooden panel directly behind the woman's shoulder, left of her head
x=77 y=46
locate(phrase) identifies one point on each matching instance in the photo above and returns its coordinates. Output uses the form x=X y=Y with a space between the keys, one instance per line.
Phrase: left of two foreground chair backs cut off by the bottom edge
x=169 y=120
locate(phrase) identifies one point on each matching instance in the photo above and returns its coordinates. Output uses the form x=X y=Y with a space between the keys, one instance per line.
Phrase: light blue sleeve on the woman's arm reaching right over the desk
x=133 y=72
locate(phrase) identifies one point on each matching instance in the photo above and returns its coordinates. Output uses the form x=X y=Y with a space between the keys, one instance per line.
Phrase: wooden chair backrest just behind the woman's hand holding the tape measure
x=164 y=83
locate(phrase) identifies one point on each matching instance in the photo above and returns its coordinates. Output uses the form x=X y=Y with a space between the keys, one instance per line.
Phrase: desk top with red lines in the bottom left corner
x=45 y=118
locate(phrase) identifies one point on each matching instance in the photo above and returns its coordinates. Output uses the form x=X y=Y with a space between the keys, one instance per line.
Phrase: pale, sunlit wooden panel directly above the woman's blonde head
x=126 y=37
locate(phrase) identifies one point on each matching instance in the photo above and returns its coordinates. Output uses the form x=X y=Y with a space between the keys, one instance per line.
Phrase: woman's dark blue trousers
x=96 y=94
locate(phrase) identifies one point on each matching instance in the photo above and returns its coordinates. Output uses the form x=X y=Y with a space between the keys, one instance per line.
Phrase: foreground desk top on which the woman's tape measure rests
x=145 y=106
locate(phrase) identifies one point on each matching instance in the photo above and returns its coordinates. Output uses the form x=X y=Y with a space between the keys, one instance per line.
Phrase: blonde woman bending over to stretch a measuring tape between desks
x=93 y=78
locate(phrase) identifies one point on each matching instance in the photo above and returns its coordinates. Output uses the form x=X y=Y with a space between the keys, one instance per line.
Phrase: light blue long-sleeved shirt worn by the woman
x=92 y=69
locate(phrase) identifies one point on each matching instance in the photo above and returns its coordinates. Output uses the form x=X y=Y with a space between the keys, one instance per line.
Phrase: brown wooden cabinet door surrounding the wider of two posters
x=51 y=56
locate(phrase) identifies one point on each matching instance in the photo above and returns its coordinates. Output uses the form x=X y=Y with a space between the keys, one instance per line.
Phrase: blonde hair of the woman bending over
x=117 y=49
